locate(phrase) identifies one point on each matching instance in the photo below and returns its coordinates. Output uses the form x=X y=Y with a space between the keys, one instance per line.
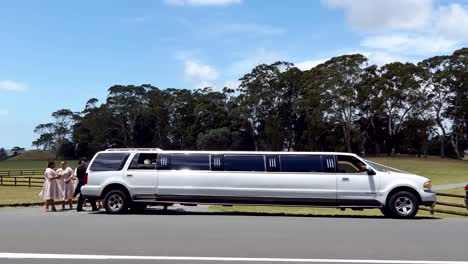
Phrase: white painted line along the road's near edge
x=231 y=259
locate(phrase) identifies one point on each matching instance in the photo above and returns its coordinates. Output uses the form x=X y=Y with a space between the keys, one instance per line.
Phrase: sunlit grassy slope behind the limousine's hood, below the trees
x=440 y=171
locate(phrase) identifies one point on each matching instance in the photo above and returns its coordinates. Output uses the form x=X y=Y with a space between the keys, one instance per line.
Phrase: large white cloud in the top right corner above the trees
x=409 y=27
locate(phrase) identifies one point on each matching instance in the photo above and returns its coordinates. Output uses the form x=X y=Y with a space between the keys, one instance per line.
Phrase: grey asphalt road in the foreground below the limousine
x=231 y=238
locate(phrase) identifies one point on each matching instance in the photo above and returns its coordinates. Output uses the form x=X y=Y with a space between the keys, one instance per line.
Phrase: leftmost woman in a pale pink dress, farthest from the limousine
x=51 y=189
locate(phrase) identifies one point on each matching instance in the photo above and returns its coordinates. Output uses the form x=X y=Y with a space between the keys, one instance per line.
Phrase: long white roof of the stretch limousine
x=157 y=150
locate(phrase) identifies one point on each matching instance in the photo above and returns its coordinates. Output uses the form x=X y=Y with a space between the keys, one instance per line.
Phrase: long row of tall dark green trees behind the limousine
x=343 y=104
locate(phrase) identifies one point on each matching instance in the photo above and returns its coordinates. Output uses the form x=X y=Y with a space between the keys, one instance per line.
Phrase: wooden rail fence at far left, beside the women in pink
x=28 y=178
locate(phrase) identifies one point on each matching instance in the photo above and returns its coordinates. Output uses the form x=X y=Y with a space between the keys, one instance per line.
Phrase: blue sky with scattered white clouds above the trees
x=58 y=54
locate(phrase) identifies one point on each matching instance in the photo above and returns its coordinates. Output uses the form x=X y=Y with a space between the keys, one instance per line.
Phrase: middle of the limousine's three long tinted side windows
x=244 y=163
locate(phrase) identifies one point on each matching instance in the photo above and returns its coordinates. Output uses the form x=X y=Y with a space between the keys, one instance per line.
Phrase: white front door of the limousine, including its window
x=355 y=186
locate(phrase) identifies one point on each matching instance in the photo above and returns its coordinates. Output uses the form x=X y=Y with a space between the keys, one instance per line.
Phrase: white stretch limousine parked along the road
x=136 y=178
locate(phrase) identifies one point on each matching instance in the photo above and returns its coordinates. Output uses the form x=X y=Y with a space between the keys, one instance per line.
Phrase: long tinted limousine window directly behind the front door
x=301 y=163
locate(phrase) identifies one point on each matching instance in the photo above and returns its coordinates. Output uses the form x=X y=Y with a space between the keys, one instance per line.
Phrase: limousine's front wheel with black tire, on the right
x=403 y=205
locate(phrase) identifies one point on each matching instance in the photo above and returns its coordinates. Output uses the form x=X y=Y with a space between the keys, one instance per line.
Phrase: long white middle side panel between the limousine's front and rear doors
x=247 y=184
